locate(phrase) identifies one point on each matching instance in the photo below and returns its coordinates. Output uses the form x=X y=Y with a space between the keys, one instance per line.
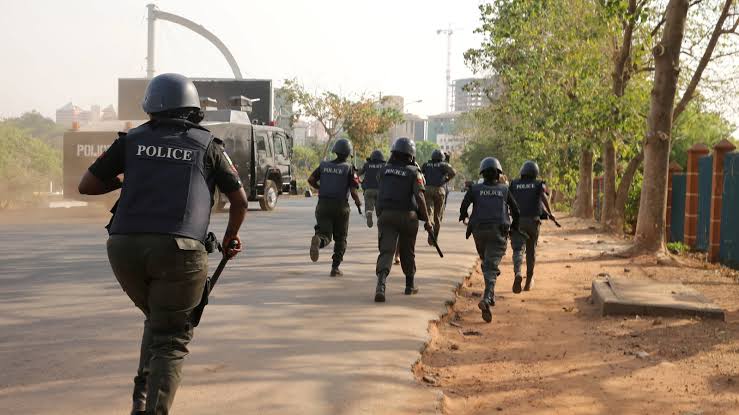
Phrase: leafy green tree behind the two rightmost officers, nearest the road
x=554 y=103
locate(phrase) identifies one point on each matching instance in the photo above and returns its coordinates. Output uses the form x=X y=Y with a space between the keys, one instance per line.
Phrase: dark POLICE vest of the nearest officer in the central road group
x=396 y=189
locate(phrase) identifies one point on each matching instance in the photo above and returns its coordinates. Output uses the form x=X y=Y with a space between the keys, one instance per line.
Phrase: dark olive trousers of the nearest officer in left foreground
x=164 y=276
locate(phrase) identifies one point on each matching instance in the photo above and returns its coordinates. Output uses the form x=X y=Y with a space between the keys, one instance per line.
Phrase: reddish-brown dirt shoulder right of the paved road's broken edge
x=548 y=351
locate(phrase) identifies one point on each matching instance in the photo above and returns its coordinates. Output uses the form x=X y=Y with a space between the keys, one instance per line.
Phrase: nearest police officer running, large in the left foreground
x=172 y=167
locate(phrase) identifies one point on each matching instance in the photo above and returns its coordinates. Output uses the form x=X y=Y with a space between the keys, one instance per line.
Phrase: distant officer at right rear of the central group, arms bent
x=437 y=173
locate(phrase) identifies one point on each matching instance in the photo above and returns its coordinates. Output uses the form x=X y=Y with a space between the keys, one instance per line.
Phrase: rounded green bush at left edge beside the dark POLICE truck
x=27 y=164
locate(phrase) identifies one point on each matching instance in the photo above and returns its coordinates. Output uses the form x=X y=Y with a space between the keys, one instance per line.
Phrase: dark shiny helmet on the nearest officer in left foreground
x=170 y=91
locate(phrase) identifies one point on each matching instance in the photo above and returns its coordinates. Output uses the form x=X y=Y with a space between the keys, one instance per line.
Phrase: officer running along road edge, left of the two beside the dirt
x=492 y=209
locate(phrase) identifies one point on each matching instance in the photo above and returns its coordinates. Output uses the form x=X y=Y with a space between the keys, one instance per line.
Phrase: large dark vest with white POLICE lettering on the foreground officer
x=165 y=188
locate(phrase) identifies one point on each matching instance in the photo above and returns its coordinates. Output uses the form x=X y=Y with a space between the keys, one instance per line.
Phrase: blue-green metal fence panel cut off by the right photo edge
x=729 y=252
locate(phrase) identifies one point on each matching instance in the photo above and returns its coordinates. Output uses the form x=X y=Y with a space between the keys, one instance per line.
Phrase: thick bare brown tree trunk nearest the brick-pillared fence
x=650 y=226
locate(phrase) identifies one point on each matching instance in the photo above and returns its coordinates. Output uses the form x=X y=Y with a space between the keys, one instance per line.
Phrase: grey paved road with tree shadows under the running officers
x=279 y=337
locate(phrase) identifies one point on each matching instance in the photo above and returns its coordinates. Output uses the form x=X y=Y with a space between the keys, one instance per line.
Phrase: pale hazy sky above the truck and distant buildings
x=56 y=51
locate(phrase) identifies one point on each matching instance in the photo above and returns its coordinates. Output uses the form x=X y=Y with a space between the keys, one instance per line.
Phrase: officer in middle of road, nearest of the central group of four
x=400 y=205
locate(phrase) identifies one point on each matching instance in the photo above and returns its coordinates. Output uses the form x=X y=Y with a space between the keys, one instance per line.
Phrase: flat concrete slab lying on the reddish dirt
x=628 y=296
